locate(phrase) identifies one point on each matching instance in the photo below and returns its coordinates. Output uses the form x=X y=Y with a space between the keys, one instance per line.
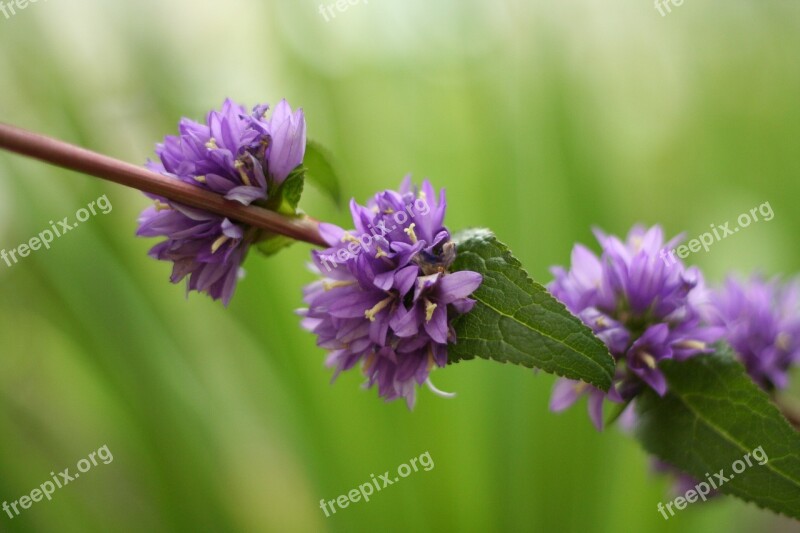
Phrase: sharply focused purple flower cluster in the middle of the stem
x=387 y=296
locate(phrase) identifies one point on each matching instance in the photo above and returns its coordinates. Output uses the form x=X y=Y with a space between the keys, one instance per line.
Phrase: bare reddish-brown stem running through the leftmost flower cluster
x=85 y=161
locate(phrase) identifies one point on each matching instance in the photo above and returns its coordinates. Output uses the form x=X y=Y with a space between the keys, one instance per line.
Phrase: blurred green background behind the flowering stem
x=542 y=119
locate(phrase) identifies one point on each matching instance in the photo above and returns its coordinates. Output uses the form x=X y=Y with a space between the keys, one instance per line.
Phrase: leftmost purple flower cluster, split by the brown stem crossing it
x=242 y=156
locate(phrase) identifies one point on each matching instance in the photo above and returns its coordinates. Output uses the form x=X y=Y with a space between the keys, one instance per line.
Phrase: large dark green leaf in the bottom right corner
x=714 y=415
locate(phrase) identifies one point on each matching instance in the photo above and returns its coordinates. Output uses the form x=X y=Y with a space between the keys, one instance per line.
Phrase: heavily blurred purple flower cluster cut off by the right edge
x=761 y=321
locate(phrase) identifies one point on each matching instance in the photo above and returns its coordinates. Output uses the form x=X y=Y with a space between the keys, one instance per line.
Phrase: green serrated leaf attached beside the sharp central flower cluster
x=517 y=321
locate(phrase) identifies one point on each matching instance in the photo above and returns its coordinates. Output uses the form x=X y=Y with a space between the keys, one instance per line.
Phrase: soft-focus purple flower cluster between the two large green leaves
x=642 y=304
